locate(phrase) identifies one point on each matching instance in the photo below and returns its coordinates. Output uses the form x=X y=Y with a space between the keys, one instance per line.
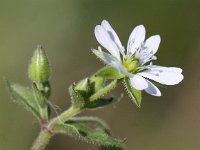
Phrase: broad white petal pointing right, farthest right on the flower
x=164 y=75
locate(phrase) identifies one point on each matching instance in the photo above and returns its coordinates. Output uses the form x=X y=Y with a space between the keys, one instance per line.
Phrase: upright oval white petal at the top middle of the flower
x=136 y=38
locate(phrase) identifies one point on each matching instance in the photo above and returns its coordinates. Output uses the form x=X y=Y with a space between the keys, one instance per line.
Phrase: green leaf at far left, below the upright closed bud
x=24 y=95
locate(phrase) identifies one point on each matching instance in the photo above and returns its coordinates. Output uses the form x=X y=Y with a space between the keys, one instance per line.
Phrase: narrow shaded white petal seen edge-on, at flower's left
x=111 y=61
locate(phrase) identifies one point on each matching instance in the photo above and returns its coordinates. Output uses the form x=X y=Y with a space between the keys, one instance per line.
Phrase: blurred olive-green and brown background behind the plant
x=66 y=30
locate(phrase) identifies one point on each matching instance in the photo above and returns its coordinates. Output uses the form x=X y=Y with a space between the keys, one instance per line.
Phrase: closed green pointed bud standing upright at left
x=39 y=69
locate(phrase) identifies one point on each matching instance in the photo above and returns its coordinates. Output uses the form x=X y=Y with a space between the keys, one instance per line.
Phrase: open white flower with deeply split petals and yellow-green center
x=133 y=63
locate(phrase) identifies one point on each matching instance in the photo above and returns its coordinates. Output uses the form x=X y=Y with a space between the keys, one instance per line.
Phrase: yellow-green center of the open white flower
x=131 y=64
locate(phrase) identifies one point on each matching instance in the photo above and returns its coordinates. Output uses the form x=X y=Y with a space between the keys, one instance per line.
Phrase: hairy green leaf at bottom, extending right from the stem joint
x=90 y=135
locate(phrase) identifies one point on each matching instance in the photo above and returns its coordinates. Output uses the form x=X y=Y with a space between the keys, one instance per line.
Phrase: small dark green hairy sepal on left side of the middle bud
x=76 y=97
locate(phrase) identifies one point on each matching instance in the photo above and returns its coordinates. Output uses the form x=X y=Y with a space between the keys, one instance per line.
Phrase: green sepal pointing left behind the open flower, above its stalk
x=109 y=72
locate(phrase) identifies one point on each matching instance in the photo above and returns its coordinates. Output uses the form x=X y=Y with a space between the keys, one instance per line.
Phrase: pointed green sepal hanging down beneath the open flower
x=135 y=95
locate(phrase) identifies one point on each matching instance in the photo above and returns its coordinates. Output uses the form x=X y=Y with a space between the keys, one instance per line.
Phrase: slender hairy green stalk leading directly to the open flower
x=105 y=90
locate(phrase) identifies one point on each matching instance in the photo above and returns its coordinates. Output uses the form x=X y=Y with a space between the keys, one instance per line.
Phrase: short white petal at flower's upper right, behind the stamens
x=151 y=45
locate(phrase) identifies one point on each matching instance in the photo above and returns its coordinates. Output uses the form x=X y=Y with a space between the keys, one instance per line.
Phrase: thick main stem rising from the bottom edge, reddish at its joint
x=47 y=129
